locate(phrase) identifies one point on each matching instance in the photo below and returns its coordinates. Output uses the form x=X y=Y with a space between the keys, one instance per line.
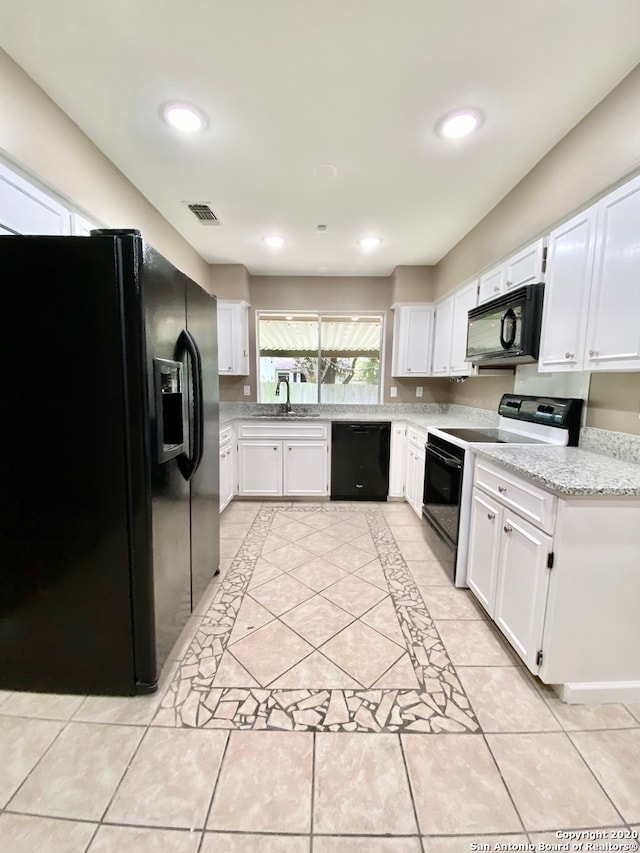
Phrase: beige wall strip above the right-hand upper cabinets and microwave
x=599 y=152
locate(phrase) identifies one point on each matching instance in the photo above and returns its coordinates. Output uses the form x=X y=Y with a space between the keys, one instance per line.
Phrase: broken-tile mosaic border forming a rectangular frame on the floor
x=438 y=705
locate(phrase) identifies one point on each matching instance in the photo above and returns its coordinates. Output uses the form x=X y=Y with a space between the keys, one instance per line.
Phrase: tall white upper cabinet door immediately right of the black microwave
x=569 y=273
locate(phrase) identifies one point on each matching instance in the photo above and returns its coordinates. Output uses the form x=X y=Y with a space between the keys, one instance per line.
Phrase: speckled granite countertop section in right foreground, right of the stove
x=567 y=470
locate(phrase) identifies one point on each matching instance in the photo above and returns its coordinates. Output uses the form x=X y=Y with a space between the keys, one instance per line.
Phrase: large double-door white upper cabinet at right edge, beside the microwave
x=592 y=297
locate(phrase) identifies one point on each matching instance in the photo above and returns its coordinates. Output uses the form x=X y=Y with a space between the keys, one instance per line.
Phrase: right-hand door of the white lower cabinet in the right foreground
x=521 y=591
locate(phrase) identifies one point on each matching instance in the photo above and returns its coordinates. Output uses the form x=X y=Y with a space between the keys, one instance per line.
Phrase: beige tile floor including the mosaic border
x=332 y=693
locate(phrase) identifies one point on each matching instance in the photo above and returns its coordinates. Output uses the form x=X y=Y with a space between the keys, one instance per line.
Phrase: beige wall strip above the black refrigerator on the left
x=41 y=139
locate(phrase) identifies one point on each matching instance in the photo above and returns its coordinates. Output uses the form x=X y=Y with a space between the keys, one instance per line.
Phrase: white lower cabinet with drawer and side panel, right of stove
x=561 y=583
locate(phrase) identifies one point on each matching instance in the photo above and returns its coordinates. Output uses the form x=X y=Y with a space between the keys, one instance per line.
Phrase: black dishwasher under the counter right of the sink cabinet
x=360 y=460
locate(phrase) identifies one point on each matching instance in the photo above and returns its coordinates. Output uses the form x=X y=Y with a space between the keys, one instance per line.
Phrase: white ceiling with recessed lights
x=291 y=84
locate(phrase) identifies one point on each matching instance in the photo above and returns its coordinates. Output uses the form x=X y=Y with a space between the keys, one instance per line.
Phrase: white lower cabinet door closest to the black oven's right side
x=484 y=544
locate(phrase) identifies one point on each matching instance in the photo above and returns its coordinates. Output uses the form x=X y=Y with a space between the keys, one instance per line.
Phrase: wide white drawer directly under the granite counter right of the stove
x=531 y=502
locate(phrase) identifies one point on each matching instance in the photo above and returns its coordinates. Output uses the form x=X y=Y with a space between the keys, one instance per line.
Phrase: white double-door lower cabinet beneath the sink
x=291 y=460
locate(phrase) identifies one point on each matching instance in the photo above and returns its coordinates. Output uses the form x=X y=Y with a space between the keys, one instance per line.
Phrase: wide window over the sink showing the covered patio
x=327 y=358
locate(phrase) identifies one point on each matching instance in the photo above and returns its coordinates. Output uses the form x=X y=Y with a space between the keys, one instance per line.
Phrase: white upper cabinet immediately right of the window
x=412 y=329
